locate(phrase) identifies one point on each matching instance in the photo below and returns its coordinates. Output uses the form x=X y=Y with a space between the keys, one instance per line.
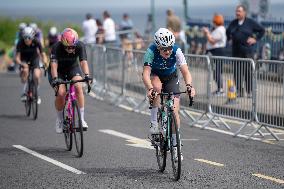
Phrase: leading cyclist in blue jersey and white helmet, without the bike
x=160 y=72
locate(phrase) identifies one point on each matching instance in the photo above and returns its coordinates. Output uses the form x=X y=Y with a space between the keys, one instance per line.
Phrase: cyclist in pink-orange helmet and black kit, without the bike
x=64 y=65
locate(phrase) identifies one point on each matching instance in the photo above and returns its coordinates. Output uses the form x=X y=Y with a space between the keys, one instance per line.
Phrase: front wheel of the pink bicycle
x=78 y=129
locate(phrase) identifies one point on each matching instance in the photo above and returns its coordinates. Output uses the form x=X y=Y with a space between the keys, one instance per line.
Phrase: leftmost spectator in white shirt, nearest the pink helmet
x=90 y=29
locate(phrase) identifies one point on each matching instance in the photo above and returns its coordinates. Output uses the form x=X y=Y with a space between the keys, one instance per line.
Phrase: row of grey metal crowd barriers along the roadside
x=251 y=94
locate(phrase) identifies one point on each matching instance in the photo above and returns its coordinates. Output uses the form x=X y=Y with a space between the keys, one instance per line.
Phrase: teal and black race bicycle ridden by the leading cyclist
x=167 y=123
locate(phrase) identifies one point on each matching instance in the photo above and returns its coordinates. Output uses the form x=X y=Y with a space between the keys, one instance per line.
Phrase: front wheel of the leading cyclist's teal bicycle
x=176 y=164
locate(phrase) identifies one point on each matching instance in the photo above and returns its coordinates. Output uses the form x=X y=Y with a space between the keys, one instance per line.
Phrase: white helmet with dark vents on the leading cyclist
x=164 y=38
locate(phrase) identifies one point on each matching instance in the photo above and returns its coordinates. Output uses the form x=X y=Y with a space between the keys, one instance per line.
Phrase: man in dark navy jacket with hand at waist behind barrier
x=244 y=33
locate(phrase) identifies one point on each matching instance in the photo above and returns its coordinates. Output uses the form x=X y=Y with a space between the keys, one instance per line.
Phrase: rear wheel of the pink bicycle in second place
x=67 y=127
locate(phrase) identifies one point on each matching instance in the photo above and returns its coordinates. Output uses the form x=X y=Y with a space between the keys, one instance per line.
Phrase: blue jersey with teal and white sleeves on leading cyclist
x=161 y=66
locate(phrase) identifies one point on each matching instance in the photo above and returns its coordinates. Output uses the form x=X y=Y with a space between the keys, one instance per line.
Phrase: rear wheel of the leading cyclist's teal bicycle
x=161 y=149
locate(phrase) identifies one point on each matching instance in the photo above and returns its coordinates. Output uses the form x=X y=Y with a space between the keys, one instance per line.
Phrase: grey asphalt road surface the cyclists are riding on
x=114 y=160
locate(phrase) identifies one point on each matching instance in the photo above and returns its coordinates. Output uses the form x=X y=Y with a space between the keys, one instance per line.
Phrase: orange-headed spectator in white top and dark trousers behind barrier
x=216 y=42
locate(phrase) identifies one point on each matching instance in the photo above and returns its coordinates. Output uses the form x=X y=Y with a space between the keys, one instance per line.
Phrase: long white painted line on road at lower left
x=57 y=163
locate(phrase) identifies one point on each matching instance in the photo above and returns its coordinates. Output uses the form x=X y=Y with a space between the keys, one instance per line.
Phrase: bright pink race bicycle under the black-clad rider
x=72 y=122
